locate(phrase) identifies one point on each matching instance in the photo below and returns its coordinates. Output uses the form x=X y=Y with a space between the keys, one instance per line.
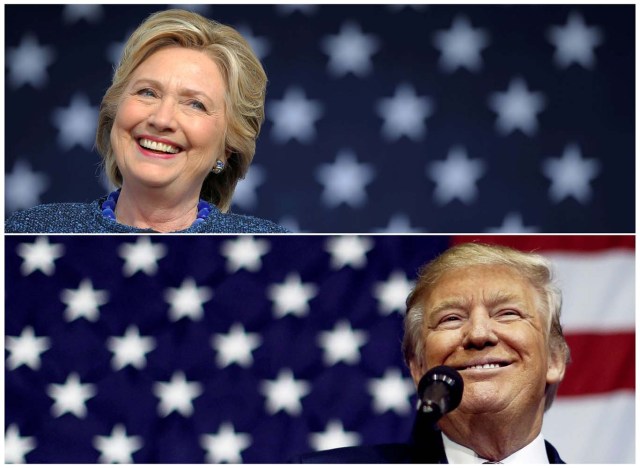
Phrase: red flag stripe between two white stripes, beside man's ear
x=600 y=363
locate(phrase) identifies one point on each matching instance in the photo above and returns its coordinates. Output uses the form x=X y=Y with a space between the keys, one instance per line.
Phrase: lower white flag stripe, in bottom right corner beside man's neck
x=595 y=429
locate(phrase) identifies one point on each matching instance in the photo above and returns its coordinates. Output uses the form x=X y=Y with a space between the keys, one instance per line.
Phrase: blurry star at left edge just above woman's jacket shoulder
x=23 y=186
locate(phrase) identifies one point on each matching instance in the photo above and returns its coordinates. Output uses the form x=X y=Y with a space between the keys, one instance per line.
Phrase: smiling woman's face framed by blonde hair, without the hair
x=170 y=124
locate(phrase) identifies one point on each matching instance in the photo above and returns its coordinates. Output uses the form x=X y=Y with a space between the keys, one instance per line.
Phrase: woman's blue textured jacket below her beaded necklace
x=88 y=218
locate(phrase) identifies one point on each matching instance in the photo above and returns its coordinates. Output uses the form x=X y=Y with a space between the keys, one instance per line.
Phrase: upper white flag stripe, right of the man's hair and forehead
x=598 y=290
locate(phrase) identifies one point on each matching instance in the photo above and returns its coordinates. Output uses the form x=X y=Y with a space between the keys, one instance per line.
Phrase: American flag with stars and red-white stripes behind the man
x=253 y=349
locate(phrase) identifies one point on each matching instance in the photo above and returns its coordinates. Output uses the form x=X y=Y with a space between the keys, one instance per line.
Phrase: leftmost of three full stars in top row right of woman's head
x=350 y=51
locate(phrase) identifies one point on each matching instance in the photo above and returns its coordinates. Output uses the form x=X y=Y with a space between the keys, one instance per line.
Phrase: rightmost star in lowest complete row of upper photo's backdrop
x=570 y=175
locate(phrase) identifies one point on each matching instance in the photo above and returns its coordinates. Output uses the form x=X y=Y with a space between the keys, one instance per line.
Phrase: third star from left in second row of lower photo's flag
x=292 y=296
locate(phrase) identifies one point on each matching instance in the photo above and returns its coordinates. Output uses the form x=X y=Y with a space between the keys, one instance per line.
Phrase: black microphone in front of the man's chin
x=439 y=391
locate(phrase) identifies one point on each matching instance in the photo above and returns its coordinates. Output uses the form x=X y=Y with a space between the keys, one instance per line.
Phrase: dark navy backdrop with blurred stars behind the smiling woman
x=394 y=118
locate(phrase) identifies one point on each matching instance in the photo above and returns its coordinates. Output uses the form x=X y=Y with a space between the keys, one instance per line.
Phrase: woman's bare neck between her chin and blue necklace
x=155 y=210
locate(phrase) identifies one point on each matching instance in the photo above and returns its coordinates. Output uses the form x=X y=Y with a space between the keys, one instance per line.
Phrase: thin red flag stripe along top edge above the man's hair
x=550 y=243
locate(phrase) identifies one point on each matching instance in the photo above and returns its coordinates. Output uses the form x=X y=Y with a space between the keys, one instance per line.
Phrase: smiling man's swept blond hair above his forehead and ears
x=535 y=268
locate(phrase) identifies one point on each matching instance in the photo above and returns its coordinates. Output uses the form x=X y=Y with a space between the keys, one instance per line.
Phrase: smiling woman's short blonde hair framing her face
x=243 y=74
